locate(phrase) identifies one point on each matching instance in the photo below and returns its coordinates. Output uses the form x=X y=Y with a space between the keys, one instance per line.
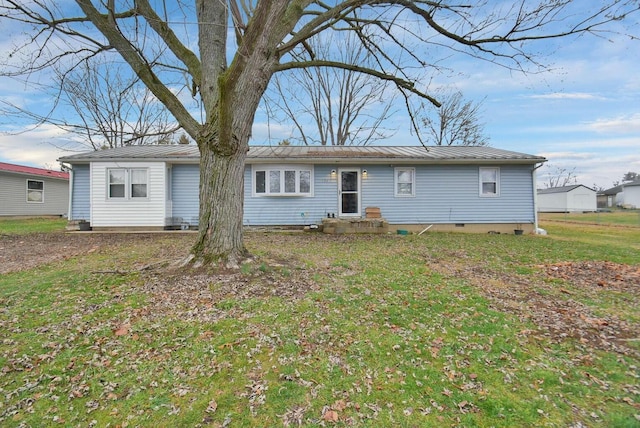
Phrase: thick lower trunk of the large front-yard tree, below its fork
x=220 y=237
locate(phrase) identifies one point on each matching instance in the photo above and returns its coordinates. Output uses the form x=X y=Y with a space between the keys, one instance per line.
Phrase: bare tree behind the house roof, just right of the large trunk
x=333 y=106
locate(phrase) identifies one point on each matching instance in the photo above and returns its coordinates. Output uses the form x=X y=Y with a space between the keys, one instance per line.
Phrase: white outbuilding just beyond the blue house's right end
x=567 y=199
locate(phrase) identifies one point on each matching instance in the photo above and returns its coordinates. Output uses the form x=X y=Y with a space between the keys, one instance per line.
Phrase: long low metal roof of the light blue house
x=319 y=154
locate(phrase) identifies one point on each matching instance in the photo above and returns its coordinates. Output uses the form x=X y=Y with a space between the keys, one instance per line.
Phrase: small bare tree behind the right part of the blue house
x=455 y=123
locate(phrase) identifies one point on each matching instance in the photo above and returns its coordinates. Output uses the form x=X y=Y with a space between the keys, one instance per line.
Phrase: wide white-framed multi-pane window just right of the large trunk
x=282 y=181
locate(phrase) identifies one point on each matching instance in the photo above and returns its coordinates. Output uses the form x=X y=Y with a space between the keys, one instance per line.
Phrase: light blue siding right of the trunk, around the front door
x=444 y=194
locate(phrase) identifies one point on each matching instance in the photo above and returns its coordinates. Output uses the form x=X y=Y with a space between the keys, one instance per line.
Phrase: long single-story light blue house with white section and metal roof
x=459 y=188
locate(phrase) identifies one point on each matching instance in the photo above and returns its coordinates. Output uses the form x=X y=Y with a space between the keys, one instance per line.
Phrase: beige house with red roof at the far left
x=28 y=191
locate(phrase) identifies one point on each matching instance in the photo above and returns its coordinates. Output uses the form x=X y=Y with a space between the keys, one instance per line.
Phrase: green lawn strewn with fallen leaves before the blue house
x=371 y=331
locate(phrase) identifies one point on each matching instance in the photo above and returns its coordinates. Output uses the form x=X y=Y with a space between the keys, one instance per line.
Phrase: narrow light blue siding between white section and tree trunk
x=185 y=181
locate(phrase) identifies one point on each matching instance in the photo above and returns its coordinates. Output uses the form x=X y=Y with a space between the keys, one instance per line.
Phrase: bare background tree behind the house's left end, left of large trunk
x=104 y=107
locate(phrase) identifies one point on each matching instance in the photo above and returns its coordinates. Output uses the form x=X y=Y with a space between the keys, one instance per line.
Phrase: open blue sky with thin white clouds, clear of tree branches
x=582 y=114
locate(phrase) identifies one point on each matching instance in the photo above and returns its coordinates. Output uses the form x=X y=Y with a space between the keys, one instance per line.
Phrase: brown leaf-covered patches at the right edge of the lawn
x=531 y=298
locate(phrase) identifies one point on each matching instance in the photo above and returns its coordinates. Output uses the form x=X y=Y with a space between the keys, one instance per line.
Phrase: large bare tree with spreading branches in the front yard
x=226 y=52
